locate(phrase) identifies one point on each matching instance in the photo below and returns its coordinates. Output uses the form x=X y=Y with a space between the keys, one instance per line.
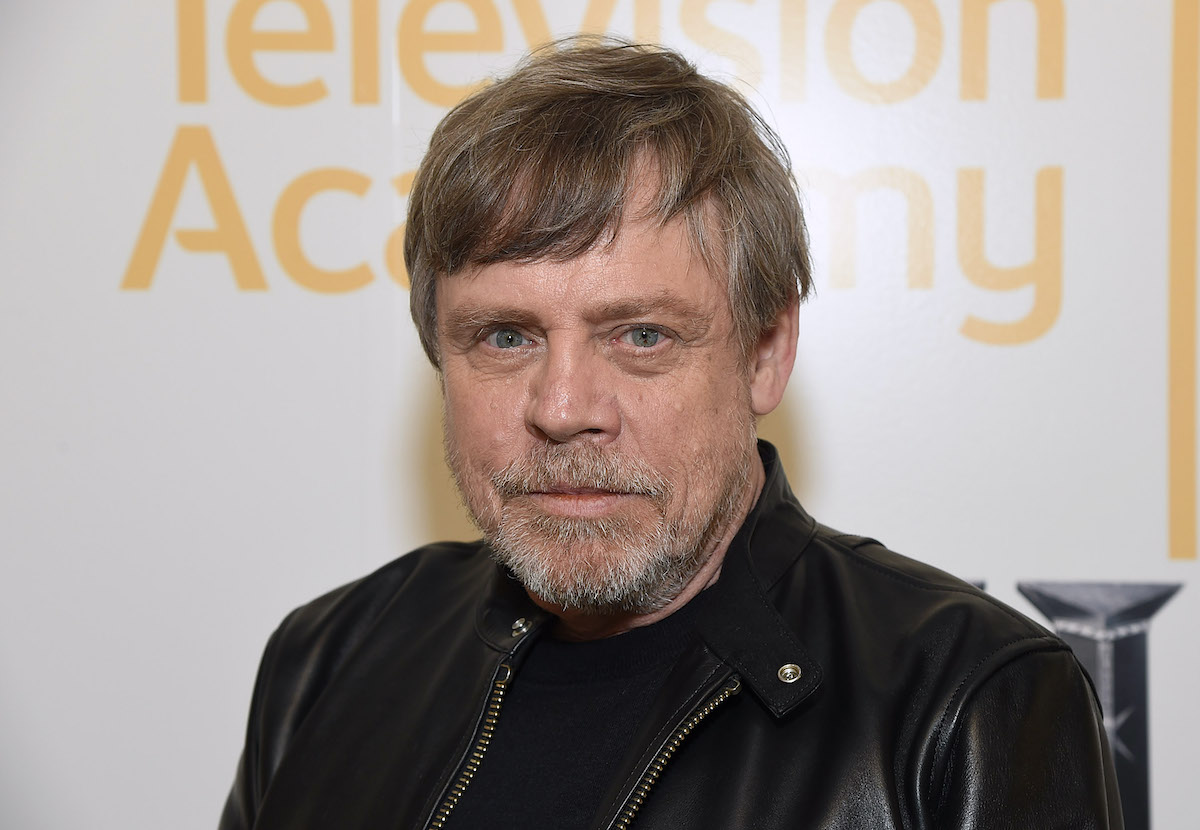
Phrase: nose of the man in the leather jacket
x=569 y=399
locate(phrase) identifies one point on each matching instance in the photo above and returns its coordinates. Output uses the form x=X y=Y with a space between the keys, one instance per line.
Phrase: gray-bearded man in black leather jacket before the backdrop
x=608 y=254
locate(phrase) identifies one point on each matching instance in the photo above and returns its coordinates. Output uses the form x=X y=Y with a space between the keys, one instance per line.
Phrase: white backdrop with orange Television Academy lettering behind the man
x=214 y=406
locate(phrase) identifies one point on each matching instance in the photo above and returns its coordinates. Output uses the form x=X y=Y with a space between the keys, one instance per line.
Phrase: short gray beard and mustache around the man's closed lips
x=611 y=564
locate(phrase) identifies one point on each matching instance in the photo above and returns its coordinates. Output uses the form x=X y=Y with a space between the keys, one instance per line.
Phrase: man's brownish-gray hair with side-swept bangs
x=542 y=164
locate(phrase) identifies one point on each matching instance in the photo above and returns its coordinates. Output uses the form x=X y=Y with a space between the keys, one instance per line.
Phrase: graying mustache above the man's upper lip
x=549 y=468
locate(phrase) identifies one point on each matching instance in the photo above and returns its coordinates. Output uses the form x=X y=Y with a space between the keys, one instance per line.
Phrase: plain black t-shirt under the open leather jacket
x=566 y=724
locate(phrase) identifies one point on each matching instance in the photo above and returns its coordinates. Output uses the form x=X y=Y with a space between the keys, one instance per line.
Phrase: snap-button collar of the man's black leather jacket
x=737 y=621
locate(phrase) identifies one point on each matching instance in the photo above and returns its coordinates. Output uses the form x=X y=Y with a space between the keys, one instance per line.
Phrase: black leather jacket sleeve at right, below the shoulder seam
x=1029 y=750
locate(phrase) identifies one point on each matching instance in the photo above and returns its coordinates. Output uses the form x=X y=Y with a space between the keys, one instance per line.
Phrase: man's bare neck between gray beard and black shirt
x=574 y=624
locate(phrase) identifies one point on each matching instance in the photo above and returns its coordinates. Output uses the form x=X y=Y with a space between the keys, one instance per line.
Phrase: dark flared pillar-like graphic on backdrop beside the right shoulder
x=1107 y=624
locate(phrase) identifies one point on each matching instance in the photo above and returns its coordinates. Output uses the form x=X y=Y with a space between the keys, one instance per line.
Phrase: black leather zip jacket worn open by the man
x=920 y=702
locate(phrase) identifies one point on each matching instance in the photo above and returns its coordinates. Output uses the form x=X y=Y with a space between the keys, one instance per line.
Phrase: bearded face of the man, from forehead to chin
x=598 y=417
